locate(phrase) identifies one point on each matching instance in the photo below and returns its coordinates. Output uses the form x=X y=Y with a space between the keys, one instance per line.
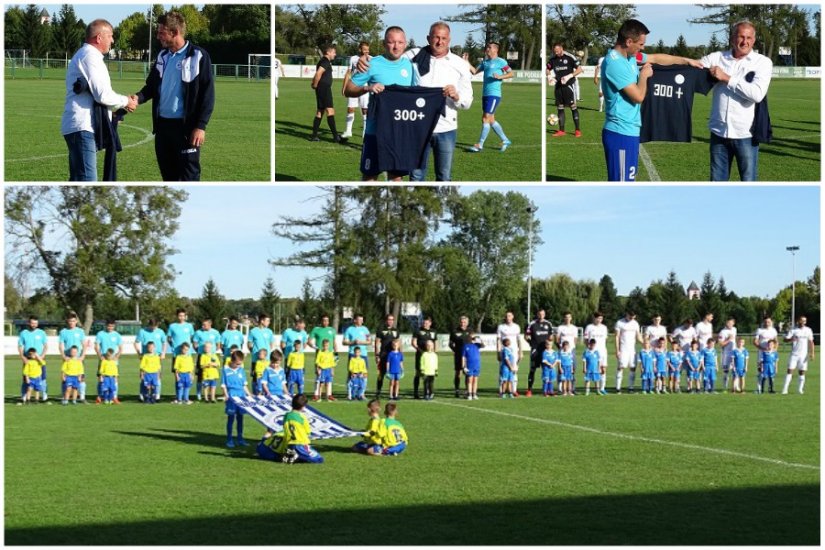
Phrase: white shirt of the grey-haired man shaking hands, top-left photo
x=87 y=64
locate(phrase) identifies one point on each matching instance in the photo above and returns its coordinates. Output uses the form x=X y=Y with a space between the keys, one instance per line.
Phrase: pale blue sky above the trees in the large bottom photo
x=636 y=235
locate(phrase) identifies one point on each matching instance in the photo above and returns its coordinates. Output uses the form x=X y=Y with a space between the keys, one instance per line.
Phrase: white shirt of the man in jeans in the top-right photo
x=732 y=112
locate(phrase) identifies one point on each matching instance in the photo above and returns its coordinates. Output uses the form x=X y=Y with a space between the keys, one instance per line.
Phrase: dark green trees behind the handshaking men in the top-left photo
x=228 y=31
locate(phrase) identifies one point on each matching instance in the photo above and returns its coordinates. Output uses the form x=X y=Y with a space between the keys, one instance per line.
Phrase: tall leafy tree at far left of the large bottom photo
x=84 y=240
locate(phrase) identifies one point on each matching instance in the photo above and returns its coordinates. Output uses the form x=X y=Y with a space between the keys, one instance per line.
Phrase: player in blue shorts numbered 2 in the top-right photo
x=625 y=86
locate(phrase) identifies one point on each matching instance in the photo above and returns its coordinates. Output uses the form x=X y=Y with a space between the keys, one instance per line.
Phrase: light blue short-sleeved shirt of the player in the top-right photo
x=618 y=72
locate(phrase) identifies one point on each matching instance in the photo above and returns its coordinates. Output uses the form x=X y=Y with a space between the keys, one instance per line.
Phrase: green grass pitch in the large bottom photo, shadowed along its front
x=619 y=469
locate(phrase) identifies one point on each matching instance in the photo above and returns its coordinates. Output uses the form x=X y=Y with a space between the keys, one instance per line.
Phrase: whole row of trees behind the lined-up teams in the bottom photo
x=105 y=251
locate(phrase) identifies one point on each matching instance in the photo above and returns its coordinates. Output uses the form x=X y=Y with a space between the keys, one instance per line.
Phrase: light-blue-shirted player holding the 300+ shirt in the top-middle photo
x=390 y=68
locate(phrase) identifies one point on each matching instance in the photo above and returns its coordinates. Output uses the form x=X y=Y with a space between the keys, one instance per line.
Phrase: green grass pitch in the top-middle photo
x=297 y=159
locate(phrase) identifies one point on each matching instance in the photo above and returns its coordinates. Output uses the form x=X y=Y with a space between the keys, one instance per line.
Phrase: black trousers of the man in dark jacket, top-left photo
x=177 y=159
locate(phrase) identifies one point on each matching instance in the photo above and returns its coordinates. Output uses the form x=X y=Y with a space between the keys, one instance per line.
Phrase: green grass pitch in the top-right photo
x=793 y=155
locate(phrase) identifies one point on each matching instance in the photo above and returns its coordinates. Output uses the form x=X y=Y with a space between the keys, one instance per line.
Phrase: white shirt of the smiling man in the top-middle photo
x=450 y=69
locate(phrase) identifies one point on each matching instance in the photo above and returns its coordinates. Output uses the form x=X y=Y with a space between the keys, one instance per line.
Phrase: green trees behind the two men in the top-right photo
x=592 y=29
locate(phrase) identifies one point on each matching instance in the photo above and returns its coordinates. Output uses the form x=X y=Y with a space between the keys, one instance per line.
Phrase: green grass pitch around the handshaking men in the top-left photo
x=237 y=146
